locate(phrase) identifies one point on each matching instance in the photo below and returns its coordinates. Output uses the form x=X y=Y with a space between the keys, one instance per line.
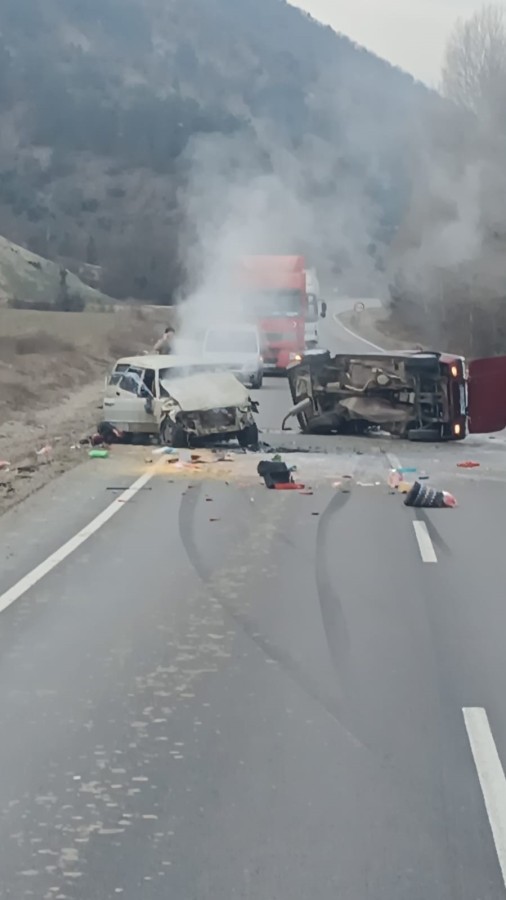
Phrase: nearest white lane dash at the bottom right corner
x=491 y=776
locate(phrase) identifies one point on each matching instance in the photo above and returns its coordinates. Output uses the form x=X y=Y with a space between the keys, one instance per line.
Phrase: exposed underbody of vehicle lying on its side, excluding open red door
x=405 y=394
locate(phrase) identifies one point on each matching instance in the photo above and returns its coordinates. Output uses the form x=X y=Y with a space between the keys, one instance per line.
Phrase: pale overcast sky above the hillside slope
x=409 y=33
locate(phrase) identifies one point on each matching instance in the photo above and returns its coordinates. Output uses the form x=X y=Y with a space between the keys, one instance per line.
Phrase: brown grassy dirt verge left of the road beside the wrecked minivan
x=51 y=377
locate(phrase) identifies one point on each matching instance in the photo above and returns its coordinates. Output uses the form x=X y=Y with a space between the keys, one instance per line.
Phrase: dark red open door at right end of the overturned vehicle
x=486 y=395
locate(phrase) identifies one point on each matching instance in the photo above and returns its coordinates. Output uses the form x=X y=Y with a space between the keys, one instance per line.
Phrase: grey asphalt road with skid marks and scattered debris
x=226 y=692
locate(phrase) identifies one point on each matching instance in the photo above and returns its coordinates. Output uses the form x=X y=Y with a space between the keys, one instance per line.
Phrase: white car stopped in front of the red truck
x=238 y=349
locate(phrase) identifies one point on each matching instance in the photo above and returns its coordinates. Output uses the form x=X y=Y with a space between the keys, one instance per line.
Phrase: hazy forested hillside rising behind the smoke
x=122 y=122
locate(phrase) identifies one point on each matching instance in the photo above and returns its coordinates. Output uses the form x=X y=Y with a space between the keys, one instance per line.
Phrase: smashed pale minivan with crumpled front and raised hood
x=182 y=401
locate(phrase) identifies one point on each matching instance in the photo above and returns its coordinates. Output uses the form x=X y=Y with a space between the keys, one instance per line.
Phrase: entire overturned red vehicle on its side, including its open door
x=421 y=396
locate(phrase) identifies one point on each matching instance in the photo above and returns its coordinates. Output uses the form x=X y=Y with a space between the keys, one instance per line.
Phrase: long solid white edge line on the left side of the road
x=29 y=580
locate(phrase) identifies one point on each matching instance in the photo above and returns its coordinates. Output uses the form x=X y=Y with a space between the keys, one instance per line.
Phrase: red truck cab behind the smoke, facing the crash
x=273 y=295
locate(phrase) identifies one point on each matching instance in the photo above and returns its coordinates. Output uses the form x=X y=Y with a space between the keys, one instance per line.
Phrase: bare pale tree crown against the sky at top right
x=474 y=69
